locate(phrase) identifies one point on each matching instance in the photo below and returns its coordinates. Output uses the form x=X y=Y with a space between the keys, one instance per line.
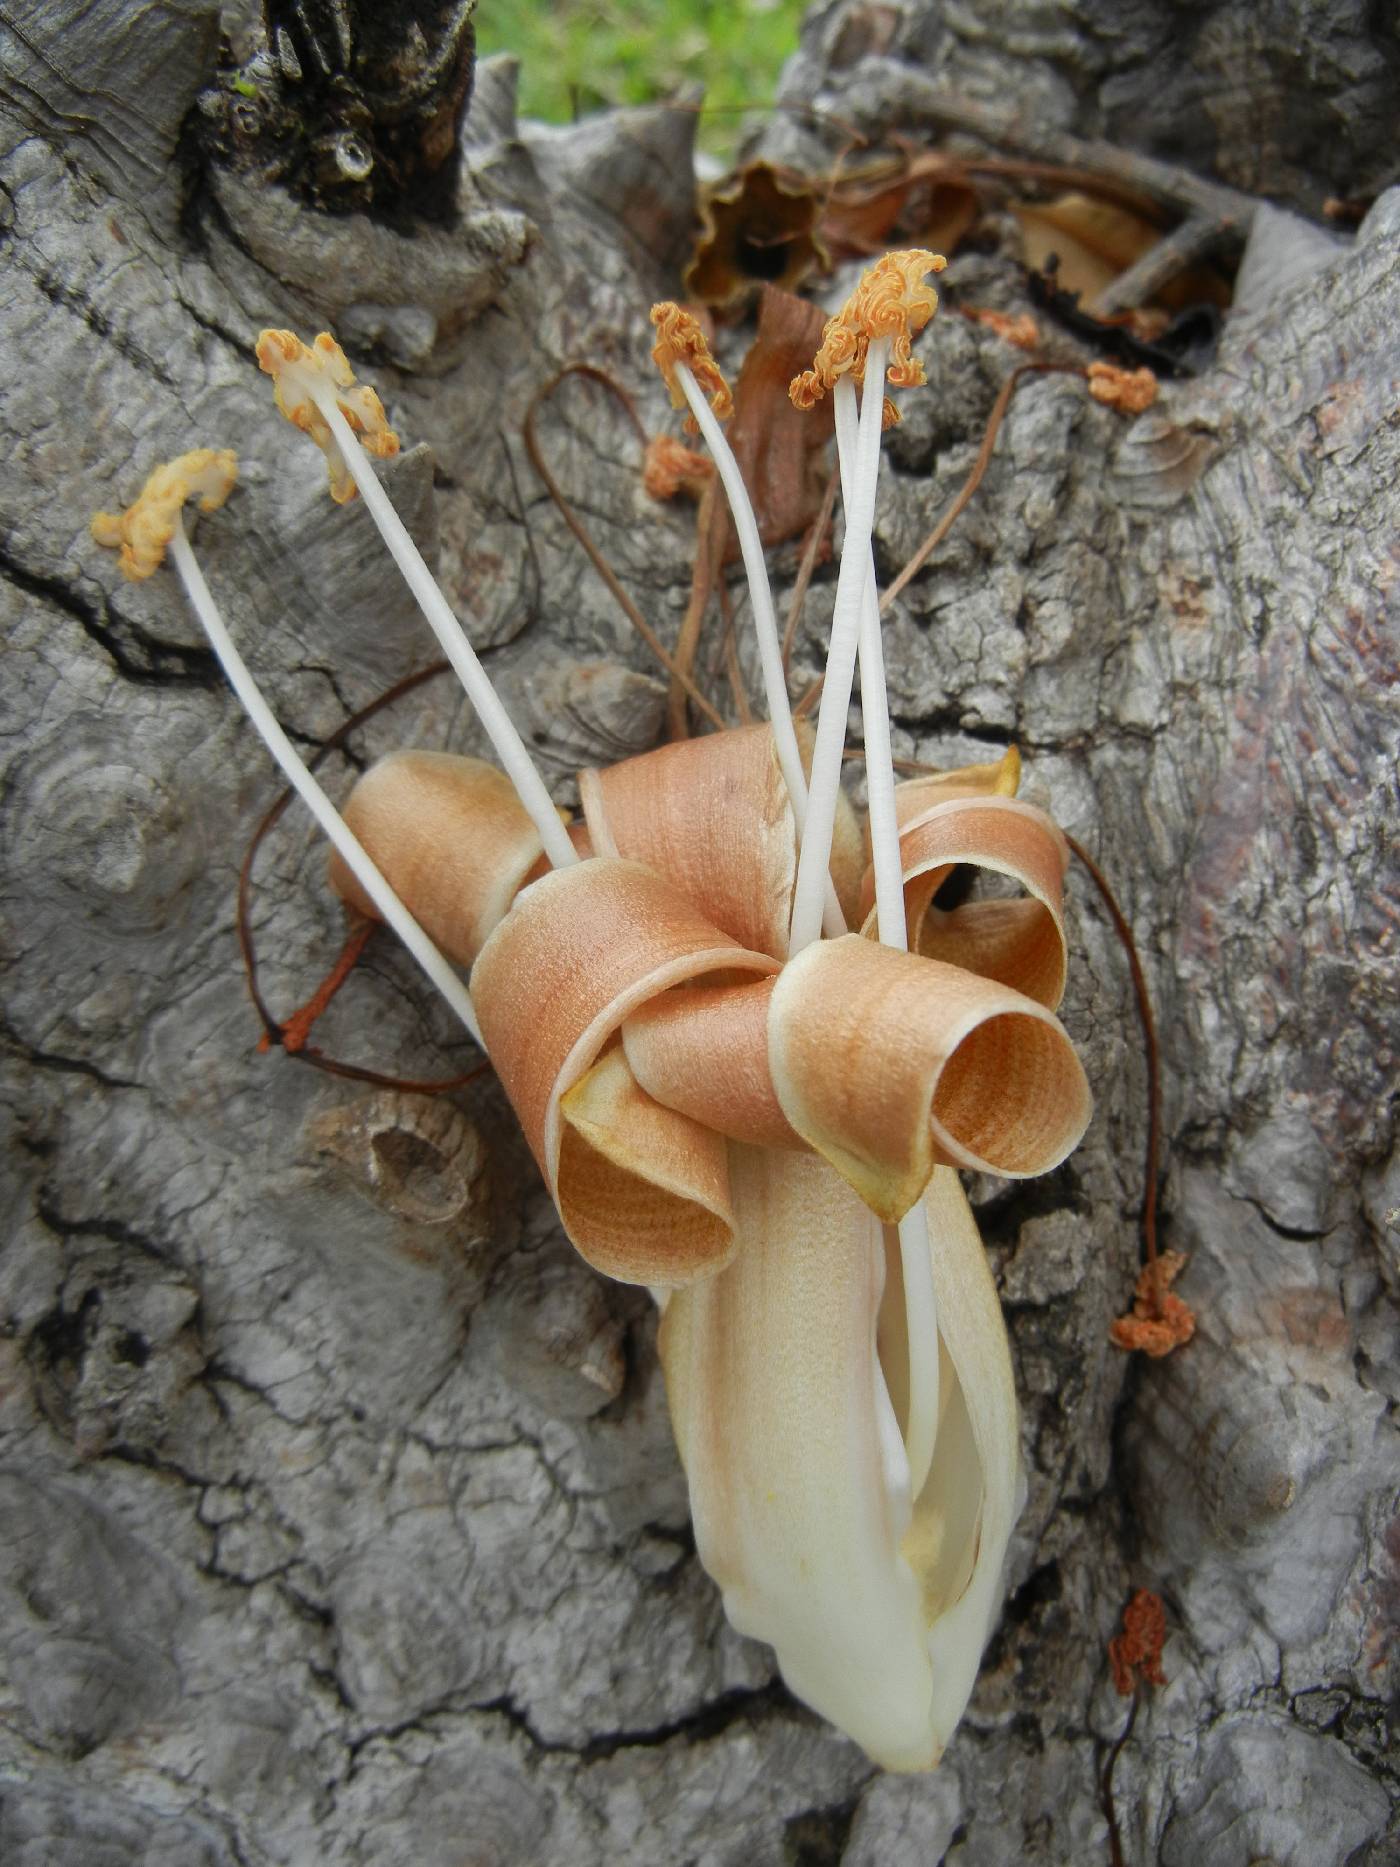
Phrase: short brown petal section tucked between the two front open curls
x=703 y=1050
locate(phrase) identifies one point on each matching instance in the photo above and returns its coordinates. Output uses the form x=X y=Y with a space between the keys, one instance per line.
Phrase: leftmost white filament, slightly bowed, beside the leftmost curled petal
x=311 y=793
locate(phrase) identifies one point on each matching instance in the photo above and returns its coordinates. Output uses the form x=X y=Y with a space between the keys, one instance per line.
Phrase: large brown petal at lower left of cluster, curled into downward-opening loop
x=578 y=955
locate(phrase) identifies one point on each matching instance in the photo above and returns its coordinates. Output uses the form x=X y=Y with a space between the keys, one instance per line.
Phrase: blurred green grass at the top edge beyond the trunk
x=583 y=55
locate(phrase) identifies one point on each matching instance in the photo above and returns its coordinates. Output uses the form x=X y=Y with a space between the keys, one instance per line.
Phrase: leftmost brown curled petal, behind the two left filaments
x=451 y=837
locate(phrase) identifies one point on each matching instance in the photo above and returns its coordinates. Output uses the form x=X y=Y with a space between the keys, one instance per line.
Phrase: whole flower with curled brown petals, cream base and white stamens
x=757 y=1121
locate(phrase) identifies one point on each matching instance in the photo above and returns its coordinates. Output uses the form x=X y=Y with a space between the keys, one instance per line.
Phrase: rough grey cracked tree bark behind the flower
x=341 y=1509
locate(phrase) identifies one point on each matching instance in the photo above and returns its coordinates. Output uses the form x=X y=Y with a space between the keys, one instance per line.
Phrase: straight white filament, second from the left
x=496 y=720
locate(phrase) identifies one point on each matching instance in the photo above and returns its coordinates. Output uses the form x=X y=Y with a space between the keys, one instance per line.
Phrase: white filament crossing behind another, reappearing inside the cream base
x=919 y=1300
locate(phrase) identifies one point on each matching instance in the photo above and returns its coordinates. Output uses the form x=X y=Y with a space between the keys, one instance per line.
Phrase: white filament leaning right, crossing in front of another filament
x=815 y=856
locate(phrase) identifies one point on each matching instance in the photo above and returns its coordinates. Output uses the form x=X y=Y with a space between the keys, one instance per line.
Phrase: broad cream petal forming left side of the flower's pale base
x=794 y=1457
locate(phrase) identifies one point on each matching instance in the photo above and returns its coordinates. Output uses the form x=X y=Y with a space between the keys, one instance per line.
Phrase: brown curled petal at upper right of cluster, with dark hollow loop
x=1018 y=944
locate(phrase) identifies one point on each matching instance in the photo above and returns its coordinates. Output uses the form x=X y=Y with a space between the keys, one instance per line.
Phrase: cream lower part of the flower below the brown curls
x=878 y=1608
